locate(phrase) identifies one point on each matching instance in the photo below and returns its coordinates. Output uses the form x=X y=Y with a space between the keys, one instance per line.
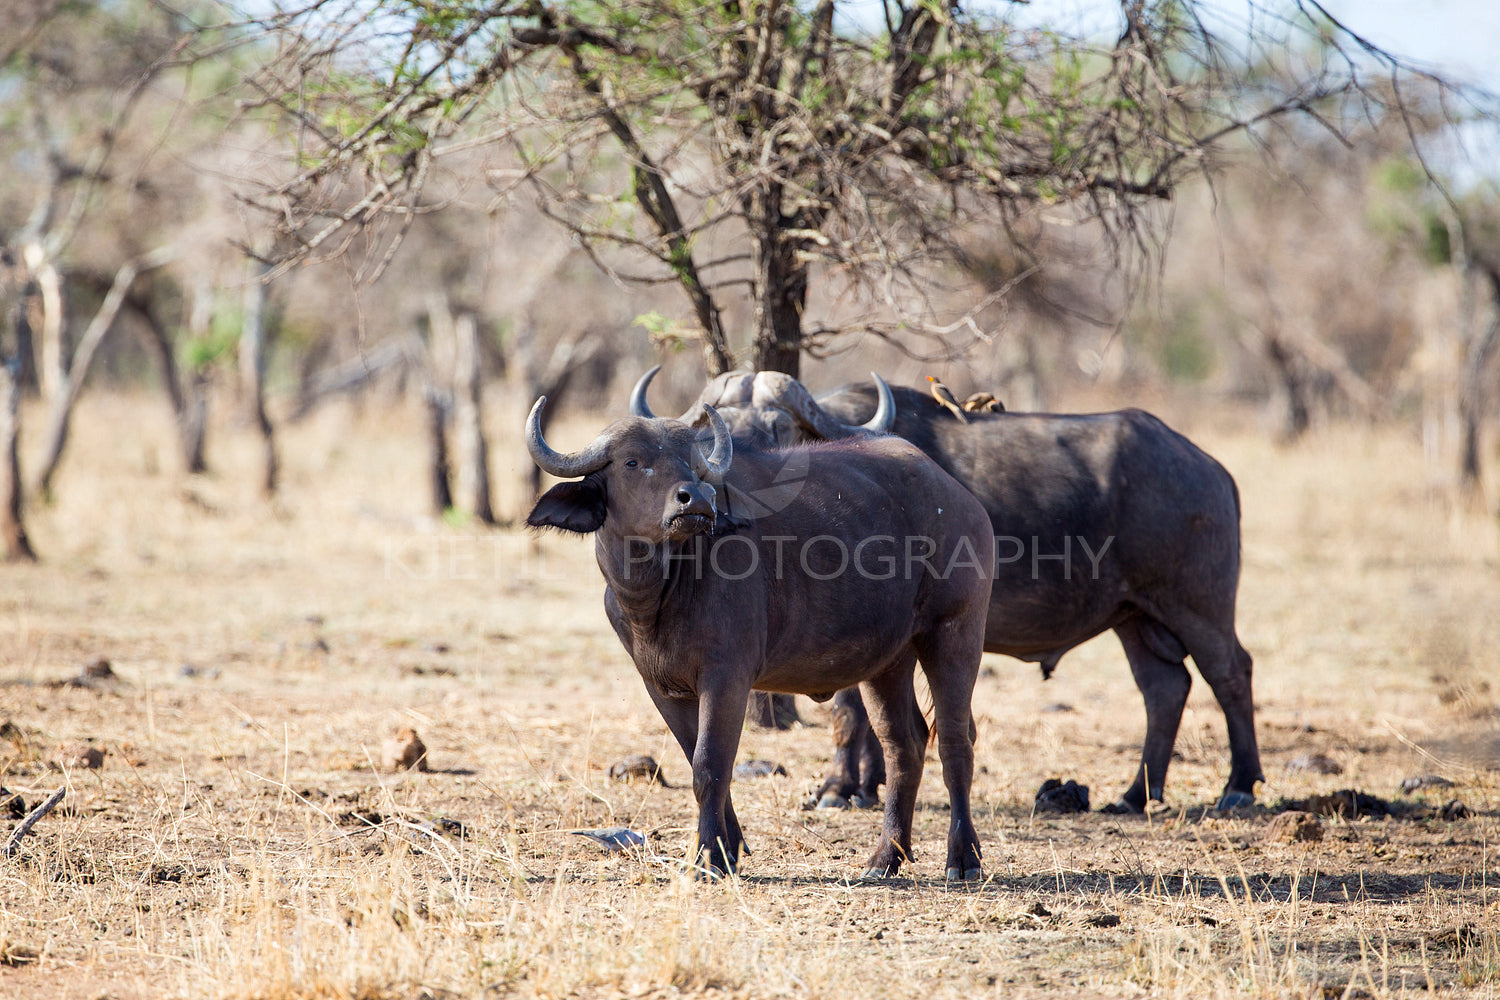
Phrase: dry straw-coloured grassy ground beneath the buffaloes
x=241 y=840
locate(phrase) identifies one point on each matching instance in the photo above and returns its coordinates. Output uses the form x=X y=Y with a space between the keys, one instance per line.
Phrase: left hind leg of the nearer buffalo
x=904 y=735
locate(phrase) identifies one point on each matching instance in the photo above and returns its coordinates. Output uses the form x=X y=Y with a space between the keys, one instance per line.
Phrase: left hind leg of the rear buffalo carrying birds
x=1165 y=686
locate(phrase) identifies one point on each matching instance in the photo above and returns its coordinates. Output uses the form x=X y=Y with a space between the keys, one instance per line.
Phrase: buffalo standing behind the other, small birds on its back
x=1102 y=522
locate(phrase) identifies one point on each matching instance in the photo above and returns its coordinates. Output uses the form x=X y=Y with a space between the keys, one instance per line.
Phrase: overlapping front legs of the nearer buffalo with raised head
x=719 y=843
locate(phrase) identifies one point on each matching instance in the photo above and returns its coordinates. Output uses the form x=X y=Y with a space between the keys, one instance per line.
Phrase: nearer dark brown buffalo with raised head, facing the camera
x=860 y=560
